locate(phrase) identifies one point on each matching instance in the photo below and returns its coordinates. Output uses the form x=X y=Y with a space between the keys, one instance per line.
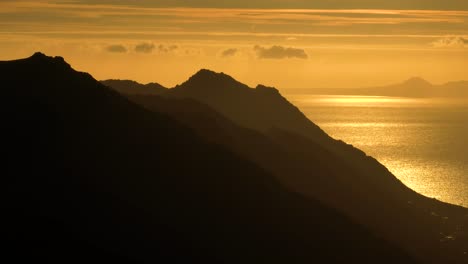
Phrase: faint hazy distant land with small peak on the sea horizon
x=414 y=87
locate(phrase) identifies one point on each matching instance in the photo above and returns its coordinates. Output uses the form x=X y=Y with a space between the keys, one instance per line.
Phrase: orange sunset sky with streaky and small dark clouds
x=280 y=43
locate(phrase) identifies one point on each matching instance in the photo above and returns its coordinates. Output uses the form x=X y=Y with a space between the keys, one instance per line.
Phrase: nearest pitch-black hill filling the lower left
x=92 y=177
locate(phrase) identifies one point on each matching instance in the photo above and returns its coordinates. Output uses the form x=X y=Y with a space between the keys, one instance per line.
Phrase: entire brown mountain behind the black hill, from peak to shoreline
x=301 y=155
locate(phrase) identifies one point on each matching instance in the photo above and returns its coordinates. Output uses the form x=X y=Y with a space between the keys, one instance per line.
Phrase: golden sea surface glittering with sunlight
x=424 y=142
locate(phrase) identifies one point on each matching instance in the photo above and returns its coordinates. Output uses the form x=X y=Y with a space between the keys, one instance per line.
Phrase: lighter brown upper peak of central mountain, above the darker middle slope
x=261 y=108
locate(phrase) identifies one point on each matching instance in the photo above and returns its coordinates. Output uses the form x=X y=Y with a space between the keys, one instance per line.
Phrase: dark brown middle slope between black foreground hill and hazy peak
x=419 y=225
